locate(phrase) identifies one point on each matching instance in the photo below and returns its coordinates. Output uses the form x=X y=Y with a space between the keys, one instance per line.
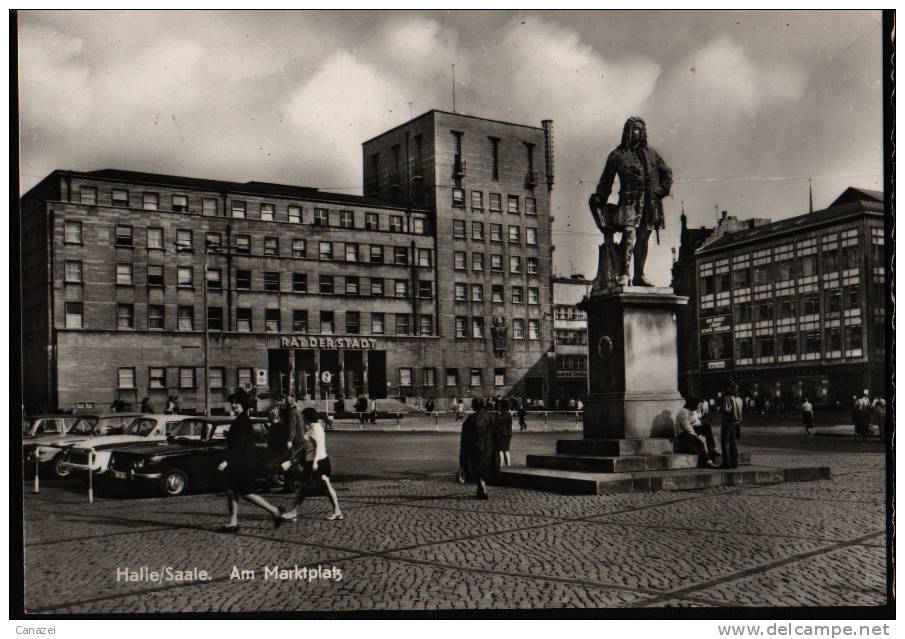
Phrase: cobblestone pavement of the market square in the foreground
x=426 y=543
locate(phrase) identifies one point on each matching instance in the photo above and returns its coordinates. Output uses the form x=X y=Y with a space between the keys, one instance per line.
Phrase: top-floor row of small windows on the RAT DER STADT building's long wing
x=268 y=212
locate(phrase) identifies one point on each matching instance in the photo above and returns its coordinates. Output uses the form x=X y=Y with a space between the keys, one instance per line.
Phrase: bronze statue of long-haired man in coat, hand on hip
x=644 y=180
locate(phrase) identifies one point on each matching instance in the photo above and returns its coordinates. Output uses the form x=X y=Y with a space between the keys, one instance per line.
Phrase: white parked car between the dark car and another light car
x=94 y=454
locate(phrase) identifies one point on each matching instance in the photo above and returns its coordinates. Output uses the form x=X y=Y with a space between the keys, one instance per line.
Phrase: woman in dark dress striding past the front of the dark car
x=238 y=468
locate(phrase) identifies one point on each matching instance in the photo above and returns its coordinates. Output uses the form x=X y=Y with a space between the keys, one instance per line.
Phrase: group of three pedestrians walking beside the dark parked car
x=297 y=448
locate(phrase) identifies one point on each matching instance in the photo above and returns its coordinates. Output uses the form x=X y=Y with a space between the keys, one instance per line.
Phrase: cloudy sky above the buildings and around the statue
x=743 y=105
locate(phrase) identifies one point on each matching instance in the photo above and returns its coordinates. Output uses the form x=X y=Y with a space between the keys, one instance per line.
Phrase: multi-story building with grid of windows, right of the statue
x=796 y=307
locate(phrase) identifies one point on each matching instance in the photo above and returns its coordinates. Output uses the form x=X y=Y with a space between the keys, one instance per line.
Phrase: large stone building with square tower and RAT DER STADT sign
x=392 y=293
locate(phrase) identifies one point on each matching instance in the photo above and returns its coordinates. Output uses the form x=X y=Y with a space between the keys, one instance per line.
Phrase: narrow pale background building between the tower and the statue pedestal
x=570 y=340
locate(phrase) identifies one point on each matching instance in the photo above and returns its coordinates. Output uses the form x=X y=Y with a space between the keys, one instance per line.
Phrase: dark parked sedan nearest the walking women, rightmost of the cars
x=187 y=460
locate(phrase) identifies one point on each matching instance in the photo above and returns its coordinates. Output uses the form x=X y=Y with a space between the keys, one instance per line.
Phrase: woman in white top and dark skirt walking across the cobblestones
x=310 y=459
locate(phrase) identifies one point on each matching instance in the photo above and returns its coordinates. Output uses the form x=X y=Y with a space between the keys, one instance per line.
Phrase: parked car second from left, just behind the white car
x=50 y=450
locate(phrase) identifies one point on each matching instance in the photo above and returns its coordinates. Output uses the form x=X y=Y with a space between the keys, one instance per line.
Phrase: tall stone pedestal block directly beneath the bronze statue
x=632 y=363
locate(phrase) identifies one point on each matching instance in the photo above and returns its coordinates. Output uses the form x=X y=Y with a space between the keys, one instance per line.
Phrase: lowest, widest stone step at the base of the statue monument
x=588 y=483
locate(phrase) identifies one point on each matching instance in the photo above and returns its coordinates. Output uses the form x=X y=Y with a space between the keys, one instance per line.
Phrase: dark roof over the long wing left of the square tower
x=250 y=188
